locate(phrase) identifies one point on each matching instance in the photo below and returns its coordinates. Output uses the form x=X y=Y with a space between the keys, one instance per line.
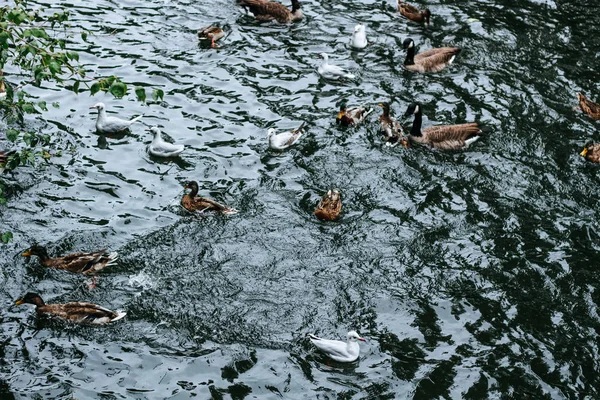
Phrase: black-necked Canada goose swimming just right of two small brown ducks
x=443 y=137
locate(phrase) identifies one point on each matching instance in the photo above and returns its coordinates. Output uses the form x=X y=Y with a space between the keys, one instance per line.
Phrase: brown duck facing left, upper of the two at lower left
x=81 y=263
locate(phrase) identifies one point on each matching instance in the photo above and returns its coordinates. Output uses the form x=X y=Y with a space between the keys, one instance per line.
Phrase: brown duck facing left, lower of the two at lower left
x=81 y=313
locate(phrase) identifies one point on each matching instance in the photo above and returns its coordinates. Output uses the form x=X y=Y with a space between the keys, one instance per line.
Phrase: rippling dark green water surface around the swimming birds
x=471 y=274
